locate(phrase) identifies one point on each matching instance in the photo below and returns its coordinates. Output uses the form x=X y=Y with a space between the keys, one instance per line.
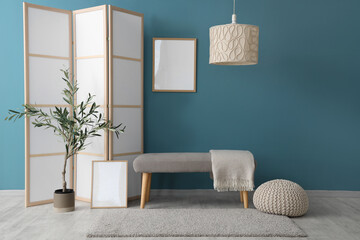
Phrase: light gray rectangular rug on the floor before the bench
x=192 y=223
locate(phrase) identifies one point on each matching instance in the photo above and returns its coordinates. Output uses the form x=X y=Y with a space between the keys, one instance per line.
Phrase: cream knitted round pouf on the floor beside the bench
x=281 y=197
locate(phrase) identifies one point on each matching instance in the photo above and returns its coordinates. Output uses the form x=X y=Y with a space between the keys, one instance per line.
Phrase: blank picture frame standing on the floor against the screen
x=109 y=184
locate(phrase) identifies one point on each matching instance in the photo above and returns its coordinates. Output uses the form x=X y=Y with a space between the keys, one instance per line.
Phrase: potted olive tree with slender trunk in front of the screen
x=74 y=126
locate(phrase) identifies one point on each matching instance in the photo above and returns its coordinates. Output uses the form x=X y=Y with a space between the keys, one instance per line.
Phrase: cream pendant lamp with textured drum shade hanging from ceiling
x=234 y=44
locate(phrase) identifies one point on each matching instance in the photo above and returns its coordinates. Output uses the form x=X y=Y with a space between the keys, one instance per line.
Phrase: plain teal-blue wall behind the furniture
x=297 y=110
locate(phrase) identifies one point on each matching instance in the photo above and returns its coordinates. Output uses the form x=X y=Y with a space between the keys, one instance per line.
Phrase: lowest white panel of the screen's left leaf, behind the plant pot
x=46 y=176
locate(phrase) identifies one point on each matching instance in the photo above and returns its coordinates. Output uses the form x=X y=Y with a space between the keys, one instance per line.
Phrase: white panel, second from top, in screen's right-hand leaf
x=127 y=82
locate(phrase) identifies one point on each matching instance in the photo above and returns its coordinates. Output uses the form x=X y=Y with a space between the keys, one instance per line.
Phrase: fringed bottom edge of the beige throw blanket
x=225 y=185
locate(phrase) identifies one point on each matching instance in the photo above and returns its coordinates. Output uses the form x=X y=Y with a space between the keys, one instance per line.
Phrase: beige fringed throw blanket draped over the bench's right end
x=233 y=170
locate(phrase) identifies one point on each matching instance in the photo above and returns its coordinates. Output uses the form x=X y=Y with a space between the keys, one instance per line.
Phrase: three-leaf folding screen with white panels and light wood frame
x=107 y=65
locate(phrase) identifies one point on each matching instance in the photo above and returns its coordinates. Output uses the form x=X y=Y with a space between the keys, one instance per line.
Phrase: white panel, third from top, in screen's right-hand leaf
x=131 y=140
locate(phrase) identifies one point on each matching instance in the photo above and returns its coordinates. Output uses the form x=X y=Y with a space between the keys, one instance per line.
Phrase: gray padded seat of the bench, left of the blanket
x=173 y=162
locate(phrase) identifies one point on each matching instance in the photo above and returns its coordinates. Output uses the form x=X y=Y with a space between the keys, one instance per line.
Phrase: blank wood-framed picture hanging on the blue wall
x=174 y=65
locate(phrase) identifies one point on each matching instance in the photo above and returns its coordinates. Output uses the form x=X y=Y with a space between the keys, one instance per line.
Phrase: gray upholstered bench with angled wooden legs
x=172 y=163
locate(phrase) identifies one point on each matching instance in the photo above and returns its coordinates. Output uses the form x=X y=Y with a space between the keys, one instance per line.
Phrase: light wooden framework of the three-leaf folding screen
x=108 y=95
